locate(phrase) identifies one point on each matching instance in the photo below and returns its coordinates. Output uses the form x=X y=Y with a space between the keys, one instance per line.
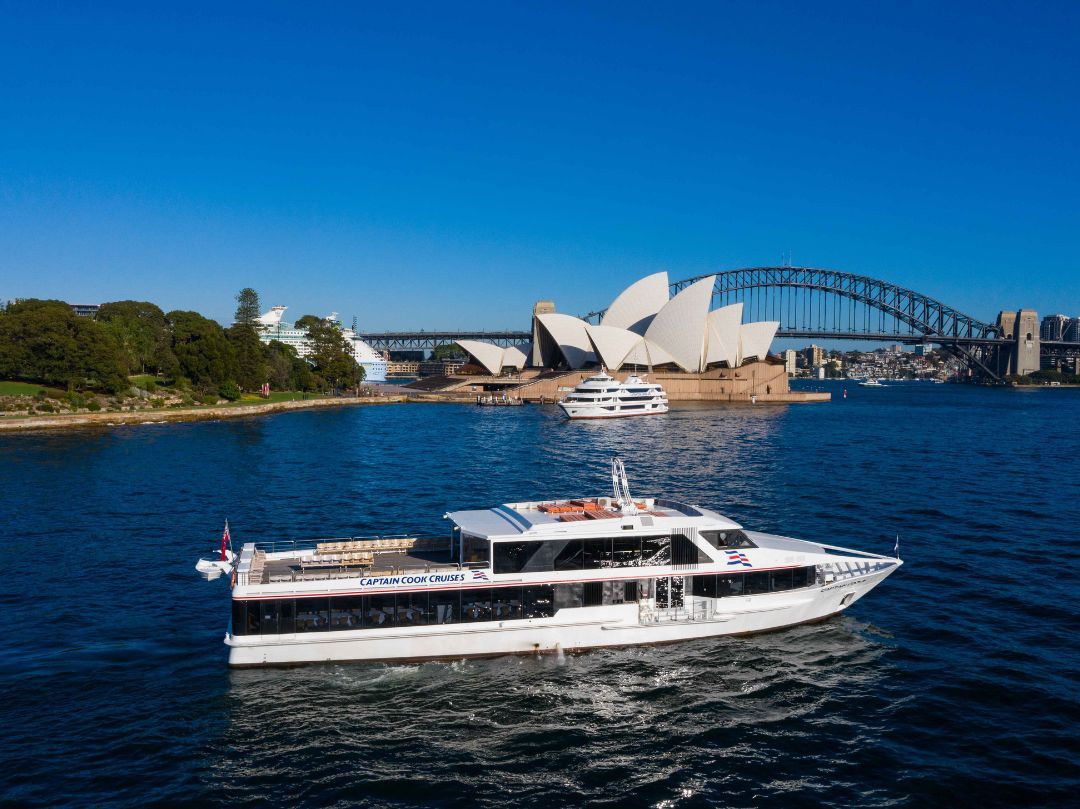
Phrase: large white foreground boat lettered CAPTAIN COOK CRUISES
x=535 y=577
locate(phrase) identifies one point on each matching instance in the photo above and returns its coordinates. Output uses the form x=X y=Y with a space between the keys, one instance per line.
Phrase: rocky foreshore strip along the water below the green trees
x=182 y=414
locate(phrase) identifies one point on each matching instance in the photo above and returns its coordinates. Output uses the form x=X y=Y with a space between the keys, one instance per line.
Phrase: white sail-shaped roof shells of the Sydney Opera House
x=642 y=328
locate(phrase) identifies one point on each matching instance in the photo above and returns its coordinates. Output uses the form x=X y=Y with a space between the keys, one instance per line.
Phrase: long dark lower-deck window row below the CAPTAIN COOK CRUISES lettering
x=288 y=616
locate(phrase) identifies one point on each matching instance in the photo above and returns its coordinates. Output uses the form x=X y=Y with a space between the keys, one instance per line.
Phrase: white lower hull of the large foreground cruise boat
x=570 y=630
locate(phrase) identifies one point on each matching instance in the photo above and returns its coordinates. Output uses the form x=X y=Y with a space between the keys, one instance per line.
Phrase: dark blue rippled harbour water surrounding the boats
x=955 y=681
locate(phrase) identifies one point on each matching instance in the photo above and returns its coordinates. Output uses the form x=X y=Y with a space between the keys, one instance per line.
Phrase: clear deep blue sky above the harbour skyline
x=444 y=166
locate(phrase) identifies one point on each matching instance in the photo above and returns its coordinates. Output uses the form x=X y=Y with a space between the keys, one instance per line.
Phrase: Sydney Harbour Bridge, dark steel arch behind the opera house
x=821 y=304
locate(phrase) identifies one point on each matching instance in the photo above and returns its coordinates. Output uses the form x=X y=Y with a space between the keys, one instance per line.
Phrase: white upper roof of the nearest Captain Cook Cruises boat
x=585 y=517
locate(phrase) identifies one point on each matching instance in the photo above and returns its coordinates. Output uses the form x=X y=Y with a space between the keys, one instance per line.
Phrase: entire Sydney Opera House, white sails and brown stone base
x=695 y=352
